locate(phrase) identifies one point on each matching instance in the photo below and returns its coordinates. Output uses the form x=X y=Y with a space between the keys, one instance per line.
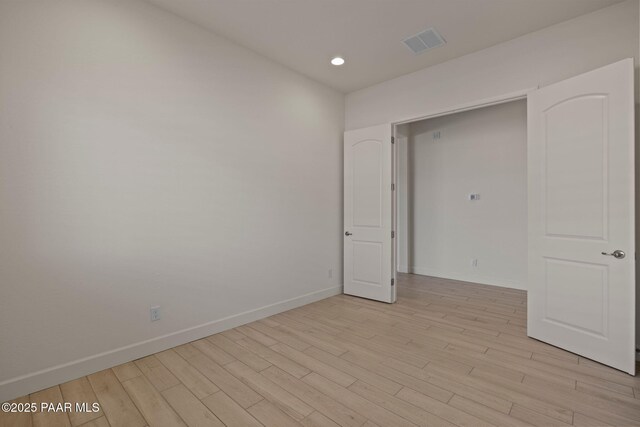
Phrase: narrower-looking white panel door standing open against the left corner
x=368 y=214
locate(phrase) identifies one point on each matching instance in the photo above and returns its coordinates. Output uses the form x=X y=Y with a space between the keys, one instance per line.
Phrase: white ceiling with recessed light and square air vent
x=305 y=34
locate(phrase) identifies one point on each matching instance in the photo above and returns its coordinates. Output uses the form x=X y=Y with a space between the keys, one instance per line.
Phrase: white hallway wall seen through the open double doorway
x=481 y=151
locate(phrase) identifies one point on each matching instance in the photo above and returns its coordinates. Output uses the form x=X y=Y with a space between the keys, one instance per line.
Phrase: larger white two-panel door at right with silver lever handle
x=581 y=211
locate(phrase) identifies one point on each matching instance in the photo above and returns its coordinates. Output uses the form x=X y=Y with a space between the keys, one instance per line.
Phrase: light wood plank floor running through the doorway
x=447 y=353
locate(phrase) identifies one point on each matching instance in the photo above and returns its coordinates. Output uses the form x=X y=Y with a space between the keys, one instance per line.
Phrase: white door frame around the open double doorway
x=469 y=106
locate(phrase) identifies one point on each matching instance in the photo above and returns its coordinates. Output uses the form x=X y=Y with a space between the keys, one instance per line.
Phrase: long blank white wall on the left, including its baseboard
x=145 y=161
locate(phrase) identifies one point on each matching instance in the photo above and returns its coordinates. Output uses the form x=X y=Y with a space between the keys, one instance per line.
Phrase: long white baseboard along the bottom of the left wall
x=29 y=383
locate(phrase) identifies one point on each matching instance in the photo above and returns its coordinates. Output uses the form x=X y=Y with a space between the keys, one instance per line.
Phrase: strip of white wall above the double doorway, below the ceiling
x=539 y=58
